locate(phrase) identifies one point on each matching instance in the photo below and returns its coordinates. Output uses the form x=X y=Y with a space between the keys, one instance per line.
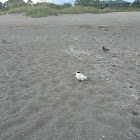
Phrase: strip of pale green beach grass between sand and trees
x=44 y=11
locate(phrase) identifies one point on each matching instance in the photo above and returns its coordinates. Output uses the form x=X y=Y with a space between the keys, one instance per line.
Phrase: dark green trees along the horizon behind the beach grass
x=10 y=4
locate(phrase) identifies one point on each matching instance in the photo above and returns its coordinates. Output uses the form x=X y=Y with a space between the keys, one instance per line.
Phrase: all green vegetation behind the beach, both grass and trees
x=44 y=9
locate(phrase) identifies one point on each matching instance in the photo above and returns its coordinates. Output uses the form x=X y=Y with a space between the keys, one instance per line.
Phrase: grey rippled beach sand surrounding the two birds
x=40 y=98
